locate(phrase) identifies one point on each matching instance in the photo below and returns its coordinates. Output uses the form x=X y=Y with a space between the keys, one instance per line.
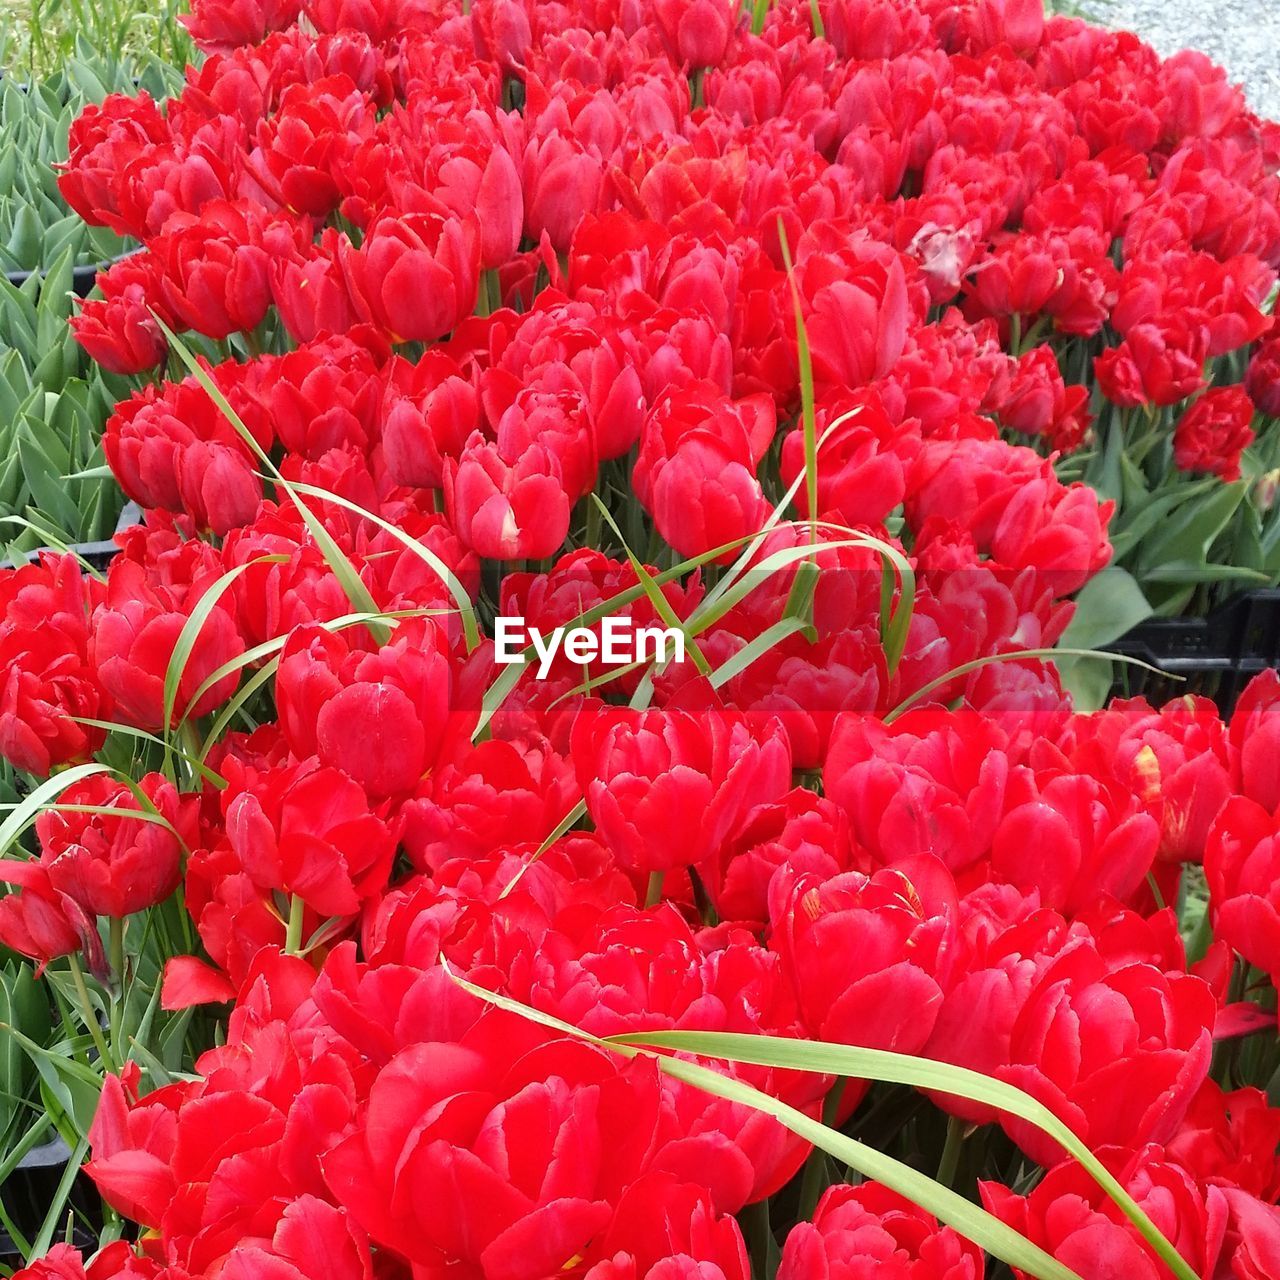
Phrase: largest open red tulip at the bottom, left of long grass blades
x=477 y=1155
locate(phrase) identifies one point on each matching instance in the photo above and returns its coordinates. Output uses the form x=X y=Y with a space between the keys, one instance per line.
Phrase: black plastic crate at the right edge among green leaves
x=1214 y=657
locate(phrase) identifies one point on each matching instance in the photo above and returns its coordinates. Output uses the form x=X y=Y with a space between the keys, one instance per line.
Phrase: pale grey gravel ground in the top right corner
x=1241 y=35
